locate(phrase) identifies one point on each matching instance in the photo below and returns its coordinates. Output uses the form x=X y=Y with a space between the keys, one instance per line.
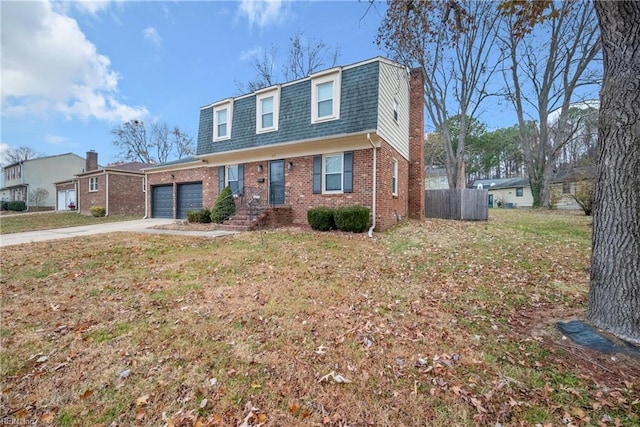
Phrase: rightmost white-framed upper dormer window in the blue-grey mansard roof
x=325 y=96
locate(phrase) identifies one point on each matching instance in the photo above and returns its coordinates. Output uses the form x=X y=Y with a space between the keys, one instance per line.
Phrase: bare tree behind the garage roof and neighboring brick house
x=156 y=145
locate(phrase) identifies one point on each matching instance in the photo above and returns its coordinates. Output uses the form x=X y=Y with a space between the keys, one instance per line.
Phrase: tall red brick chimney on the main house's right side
x=416 y=144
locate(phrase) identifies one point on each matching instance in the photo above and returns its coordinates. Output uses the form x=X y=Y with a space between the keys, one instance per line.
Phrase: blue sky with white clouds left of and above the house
x=71 y=71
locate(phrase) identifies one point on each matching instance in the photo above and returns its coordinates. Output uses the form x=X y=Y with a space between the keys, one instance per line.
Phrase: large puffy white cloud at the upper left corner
x=49 y=67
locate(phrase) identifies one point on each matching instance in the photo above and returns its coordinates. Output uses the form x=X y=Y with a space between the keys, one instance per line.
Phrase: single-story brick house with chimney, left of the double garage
x=119 y=188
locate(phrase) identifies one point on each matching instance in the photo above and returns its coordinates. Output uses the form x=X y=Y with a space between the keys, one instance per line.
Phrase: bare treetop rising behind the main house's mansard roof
x=304 y=57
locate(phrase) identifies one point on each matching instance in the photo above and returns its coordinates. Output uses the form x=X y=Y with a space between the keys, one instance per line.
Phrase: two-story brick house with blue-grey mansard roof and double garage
x=345 y=136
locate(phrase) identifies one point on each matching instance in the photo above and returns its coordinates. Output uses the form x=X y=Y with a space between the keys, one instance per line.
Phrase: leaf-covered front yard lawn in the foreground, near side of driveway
x=433 y=323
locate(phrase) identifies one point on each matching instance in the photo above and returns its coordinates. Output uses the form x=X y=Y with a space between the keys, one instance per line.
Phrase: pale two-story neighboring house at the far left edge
x=23 y=177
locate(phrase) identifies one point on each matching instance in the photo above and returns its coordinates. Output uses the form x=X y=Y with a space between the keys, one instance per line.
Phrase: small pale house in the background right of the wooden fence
x=507 y=192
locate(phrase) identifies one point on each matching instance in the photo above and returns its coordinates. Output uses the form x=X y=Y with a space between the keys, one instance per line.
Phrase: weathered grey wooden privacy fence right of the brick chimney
x=463 y=204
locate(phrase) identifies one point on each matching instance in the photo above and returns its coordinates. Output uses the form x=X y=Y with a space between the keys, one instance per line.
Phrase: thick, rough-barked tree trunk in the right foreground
x=614 y=294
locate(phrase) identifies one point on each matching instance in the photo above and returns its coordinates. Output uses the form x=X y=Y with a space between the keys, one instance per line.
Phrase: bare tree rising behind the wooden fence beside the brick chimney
x=458 y=63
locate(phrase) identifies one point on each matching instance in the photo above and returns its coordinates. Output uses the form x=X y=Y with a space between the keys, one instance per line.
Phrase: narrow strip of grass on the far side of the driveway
x=45 y=221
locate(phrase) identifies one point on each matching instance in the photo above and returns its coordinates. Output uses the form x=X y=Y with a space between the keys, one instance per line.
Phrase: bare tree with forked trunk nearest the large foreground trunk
x=545 y=76
